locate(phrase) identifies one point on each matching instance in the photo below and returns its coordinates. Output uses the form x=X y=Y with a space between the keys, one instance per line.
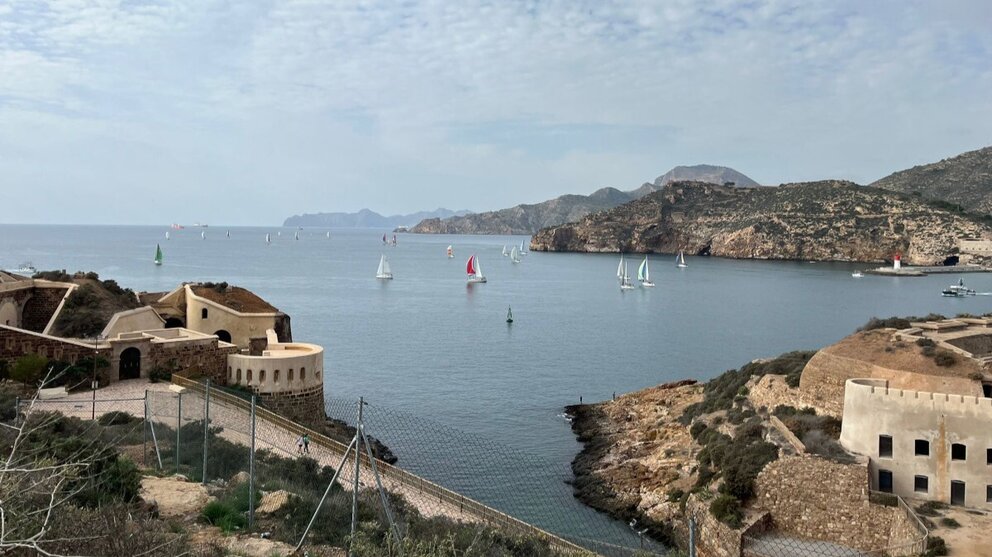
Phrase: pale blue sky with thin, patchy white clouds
x=246 y=112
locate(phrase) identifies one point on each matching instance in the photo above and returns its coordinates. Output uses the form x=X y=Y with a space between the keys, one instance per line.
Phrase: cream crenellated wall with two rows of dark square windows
x=871 y=409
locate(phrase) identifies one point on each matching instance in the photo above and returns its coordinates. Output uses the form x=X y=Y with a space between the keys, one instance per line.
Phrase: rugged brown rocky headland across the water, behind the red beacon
x=817 y=221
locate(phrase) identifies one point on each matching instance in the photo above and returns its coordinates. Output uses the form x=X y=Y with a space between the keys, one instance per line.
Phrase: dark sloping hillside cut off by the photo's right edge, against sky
x=964 y=180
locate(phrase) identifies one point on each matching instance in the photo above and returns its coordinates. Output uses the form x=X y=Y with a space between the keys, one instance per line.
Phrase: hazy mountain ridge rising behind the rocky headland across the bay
x=527 y=219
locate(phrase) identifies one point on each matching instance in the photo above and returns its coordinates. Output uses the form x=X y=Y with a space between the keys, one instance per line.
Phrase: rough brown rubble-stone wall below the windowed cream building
x=814 y=498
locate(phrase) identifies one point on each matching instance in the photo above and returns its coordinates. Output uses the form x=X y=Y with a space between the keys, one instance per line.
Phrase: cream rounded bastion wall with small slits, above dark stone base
x=282 y=368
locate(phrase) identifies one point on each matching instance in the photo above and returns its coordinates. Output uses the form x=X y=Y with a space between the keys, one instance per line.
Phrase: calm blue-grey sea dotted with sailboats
x=428 y=346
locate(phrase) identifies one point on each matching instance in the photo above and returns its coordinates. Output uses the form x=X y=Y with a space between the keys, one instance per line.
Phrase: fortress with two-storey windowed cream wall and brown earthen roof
x=914 y=401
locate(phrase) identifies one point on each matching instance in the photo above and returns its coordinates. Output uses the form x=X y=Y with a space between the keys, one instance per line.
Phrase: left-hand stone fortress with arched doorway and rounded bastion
x=224 y=333
